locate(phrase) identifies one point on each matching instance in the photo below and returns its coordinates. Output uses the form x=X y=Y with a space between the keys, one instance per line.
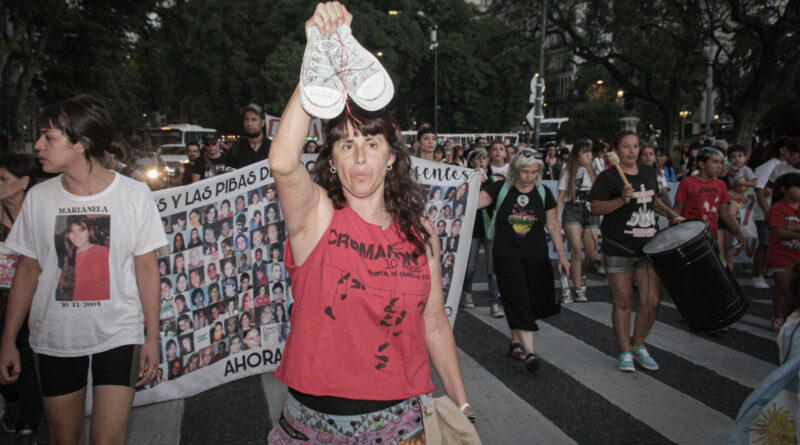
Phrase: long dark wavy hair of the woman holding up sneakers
x=402 y=194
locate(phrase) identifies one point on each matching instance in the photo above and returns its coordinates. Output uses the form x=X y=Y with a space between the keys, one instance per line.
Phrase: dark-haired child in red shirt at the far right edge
x=783 y=252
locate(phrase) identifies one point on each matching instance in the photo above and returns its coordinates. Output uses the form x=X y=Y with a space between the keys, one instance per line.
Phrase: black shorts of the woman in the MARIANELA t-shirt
x=65 y=375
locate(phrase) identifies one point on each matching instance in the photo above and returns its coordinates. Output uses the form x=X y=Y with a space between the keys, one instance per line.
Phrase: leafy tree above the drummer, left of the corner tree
x=651 y=48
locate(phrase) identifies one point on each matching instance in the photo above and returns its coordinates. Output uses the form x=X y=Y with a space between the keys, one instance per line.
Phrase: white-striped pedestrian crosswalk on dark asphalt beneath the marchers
x=578 y=396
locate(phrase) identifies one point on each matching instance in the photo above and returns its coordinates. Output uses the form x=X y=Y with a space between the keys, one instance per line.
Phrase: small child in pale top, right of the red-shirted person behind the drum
x=738 y=177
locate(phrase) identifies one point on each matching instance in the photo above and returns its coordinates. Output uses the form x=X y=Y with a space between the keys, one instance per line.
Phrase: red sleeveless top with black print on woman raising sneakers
x=358 y=330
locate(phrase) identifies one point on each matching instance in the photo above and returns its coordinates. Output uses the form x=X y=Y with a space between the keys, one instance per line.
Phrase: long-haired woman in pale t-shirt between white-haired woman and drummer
x=579 y=224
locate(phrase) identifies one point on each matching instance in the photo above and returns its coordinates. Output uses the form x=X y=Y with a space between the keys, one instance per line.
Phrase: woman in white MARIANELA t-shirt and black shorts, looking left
x=88 y=274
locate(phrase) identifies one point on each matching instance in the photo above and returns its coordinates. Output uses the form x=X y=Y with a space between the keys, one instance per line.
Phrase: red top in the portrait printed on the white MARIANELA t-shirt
x=91 y=274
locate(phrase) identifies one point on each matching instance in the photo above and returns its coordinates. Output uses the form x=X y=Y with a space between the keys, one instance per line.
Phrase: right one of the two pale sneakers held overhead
x=365 y=79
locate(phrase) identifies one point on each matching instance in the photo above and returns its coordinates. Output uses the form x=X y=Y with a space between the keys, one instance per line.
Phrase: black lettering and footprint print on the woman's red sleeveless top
x=387 y=308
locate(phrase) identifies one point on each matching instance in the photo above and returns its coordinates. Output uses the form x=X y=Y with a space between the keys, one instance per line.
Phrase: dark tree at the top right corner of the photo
x=757 y=60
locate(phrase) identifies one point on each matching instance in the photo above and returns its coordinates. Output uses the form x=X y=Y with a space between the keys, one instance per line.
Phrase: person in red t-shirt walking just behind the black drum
x=704 y=196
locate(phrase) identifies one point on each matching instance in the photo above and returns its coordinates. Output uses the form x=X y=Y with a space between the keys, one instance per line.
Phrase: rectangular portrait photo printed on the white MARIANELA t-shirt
x=82 y=244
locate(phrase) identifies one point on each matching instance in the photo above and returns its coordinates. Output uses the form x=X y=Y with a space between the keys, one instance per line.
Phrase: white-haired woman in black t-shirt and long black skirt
x=523 y=209
